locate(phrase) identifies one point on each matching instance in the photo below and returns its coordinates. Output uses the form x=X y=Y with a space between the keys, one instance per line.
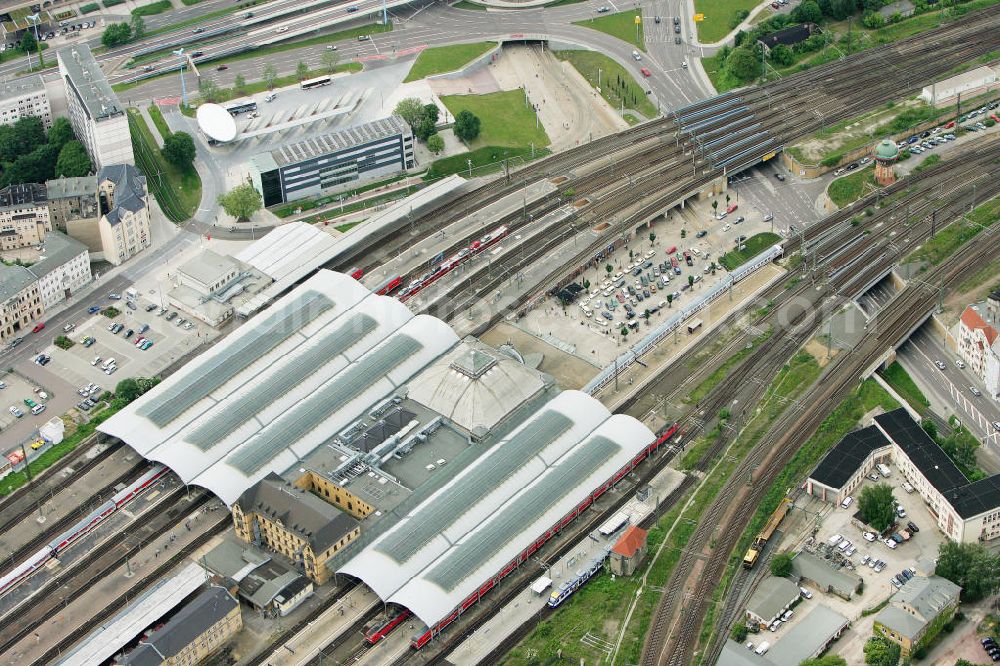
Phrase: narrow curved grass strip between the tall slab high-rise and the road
x=178 y=192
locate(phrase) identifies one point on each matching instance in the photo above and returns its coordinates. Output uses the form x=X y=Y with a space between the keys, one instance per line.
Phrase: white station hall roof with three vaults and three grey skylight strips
x=276 y=389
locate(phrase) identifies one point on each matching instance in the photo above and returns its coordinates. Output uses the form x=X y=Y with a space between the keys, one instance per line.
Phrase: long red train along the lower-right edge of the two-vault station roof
x=420 y=639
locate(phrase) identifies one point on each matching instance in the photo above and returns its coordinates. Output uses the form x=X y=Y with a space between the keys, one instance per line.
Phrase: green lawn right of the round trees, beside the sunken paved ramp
x=504 y=117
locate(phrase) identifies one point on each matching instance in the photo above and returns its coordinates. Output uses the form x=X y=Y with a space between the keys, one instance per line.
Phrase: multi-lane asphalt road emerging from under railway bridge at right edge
x=948 y=389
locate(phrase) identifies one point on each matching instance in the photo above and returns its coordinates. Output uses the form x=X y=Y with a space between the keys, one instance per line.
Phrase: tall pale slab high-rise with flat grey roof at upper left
x=97 y=117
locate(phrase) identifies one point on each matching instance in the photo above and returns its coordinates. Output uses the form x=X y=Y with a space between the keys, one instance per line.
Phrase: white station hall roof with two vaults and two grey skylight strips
x=447 y=546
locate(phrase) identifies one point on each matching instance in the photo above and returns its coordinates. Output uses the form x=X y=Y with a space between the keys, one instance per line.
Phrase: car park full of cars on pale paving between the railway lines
x=646 y=275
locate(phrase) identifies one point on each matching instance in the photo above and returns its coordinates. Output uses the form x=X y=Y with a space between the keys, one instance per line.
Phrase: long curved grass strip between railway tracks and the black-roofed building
x=842 y=420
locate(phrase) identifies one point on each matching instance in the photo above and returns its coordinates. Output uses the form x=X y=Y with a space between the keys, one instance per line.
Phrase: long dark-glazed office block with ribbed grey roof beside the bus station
x=324 y=163
